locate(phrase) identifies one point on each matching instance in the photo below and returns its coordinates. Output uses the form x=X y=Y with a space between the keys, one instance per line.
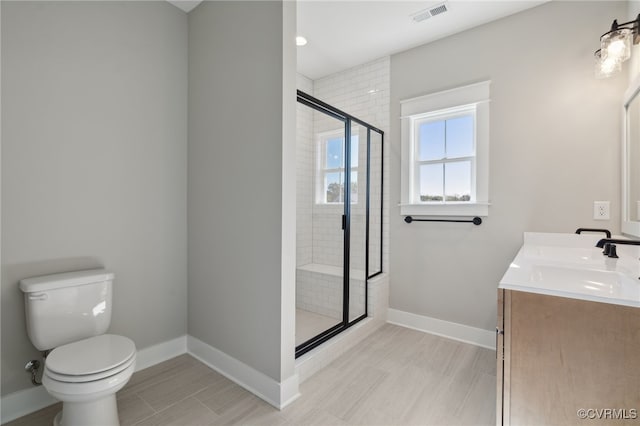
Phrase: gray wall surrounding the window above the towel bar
x=555 y=137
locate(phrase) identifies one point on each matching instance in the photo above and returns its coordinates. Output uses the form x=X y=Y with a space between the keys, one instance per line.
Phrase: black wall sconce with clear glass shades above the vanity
x=615 y=47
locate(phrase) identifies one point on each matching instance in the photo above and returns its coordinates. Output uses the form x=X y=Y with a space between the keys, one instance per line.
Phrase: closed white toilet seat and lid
x=90 y=359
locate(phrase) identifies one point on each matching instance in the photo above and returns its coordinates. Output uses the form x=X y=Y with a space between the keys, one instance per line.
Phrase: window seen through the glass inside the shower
x=331 y=168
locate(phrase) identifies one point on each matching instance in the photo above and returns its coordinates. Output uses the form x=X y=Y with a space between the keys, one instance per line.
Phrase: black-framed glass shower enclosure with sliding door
x=339 y=219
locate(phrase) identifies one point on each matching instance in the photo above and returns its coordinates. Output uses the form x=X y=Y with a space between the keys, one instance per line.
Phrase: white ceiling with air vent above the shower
x=342 y=34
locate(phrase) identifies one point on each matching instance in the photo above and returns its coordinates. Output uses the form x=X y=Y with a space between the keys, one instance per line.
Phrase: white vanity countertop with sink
x=570 y=265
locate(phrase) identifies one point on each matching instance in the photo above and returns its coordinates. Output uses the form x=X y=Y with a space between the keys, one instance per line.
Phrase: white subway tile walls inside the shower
x=363 y=92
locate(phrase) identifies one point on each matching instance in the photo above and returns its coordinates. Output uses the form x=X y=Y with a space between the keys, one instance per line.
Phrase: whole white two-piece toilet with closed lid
x=69 y=313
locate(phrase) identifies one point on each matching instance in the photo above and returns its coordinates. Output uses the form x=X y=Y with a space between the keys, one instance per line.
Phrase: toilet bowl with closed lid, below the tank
x=86 y=375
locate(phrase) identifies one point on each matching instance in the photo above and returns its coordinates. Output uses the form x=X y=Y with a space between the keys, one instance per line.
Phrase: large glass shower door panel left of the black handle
x=321 y=193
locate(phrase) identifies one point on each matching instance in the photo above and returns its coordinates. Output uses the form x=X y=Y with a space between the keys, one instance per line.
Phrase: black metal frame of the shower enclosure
x=348 y=120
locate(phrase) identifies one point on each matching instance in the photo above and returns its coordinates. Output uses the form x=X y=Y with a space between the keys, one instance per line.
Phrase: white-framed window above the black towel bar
x=445 y=148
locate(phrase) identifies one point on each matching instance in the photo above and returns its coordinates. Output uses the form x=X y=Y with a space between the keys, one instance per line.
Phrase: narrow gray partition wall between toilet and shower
x=235 y=185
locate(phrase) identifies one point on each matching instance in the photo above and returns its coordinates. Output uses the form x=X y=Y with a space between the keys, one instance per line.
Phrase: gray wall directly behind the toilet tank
x=94 y=156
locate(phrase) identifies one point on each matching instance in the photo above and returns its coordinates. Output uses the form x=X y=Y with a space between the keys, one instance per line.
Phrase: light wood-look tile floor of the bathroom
x=396 y=376
